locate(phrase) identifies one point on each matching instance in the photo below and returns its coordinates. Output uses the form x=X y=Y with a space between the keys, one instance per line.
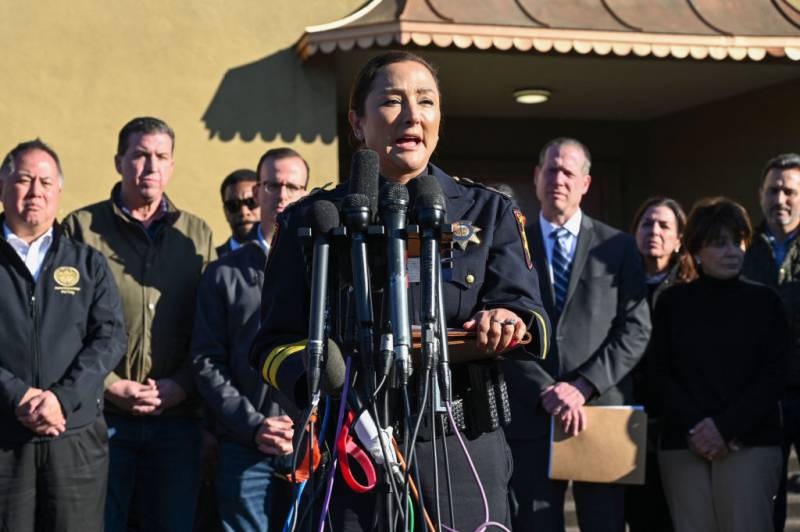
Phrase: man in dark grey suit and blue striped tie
x=593 y=289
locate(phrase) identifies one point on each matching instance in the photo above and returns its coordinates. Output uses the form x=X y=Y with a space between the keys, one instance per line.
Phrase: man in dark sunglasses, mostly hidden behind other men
x=241 y=208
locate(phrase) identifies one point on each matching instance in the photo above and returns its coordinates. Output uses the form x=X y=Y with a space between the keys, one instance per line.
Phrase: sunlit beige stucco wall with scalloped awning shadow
x=223 y=74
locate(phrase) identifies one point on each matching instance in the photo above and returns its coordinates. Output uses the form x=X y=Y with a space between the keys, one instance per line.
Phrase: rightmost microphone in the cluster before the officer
x=430 y=215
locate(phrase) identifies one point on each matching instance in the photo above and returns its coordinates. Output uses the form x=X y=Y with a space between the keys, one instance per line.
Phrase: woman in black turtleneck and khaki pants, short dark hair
x=718 y=357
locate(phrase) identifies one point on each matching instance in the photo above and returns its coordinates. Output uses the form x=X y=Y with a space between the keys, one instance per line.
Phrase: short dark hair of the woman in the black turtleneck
x=710 y=217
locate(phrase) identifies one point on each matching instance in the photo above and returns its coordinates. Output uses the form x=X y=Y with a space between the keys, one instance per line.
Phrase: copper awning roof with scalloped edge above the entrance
x=736 y=29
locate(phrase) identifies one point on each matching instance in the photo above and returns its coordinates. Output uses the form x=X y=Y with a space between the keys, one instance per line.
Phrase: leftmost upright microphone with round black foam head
x=322 y=218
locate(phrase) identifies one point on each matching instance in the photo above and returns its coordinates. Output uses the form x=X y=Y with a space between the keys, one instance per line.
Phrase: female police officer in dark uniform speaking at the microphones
x=395 y=111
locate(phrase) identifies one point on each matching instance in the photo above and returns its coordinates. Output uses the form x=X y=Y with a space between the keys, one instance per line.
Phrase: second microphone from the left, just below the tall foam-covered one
x=357 y=216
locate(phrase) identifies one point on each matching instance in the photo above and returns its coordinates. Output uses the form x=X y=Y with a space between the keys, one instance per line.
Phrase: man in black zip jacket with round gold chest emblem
x=61 y=331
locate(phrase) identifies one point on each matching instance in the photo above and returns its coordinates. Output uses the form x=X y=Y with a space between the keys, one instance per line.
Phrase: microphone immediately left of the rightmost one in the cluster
x=393 y=209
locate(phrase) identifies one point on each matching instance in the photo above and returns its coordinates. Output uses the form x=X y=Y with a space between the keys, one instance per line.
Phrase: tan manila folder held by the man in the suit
x=610 y=450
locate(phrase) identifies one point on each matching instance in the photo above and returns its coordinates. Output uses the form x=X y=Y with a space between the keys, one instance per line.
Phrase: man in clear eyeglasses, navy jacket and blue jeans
x=250 y=426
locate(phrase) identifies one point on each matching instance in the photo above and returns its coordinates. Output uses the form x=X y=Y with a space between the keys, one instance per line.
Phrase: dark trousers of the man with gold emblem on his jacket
x=58 y=485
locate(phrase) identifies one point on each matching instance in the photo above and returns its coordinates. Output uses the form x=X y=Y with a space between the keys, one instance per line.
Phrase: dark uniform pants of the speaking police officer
x=491 y=455
